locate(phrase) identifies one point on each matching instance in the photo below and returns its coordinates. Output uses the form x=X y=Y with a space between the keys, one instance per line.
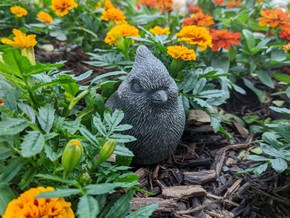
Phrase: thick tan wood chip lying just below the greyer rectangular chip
x=183 y=192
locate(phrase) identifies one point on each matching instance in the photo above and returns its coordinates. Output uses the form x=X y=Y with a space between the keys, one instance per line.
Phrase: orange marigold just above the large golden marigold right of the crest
x=198 y=19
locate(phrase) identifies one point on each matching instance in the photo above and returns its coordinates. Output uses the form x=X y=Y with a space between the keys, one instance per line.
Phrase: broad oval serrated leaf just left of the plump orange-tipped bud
x=32 y=144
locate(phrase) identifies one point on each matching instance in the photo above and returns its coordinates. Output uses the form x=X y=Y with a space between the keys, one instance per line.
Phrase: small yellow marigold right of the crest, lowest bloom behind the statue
x=181 y=52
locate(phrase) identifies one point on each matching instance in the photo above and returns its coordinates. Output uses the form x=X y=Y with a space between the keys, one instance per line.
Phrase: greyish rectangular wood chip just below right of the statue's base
x=200 y=177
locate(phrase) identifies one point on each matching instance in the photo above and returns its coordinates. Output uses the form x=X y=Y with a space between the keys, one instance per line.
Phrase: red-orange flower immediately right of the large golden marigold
x=224 y=39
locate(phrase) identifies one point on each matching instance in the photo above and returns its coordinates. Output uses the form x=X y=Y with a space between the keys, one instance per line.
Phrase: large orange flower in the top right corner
x=275 y=18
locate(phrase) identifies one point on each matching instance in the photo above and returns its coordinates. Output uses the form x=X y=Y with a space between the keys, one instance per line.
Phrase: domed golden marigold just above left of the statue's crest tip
x=119 y=31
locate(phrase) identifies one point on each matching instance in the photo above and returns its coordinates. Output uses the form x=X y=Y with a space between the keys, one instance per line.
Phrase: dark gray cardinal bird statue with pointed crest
x=149 y=99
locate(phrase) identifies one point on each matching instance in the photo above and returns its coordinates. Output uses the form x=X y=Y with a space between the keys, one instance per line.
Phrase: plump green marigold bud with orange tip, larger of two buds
x=71 y=156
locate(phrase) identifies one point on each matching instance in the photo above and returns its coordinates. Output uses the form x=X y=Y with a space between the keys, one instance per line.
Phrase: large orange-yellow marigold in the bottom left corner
x=26 y=206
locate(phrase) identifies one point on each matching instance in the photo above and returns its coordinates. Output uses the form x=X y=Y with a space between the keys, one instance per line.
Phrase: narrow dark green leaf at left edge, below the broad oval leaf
x=13 y=168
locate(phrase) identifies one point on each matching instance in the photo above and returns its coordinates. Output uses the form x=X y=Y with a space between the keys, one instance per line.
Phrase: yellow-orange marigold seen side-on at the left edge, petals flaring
x=20 y=40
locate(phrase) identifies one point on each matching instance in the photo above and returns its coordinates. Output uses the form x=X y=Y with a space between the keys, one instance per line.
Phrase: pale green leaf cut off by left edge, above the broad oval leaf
x=13 y=126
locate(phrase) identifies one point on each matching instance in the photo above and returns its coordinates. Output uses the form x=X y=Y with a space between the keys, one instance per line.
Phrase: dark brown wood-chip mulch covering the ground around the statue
x=199 y=179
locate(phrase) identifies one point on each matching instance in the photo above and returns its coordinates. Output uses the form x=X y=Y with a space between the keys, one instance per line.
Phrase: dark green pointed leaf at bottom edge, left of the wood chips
x=122 y=206
